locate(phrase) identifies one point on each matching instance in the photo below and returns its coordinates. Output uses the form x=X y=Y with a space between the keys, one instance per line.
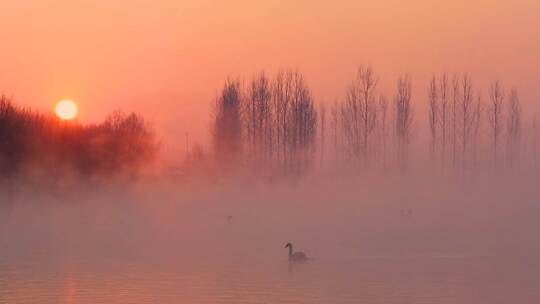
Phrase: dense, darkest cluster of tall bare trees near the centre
x=270 y=124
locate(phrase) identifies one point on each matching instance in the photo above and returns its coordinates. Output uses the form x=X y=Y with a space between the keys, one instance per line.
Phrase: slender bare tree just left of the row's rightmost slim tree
x=495 y=116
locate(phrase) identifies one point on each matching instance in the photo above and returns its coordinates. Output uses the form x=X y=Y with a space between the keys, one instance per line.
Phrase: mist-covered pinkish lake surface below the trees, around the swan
x=379 y=239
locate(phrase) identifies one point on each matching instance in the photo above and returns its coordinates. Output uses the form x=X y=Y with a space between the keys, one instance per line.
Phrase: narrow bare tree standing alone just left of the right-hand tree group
x=404 y=114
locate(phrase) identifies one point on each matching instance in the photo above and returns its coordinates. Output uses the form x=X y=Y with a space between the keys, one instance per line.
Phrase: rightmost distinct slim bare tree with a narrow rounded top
x=513 y=126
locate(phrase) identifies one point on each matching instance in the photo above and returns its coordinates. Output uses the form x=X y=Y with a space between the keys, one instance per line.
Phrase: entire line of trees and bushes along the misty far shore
x=272 y=125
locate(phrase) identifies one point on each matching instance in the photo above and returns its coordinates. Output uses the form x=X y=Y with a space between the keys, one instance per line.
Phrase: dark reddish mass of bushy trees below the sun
x=33 y=142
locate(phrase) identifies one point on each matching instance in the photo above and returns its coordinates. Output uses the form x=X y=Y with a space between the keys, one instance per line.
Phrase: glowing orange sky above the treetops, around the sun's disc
x=168 y=58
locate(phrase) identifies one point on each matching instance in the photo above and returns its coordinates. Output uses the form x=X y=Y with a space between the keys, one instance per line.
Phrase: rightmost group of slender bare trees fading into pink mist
x=485 y=131
